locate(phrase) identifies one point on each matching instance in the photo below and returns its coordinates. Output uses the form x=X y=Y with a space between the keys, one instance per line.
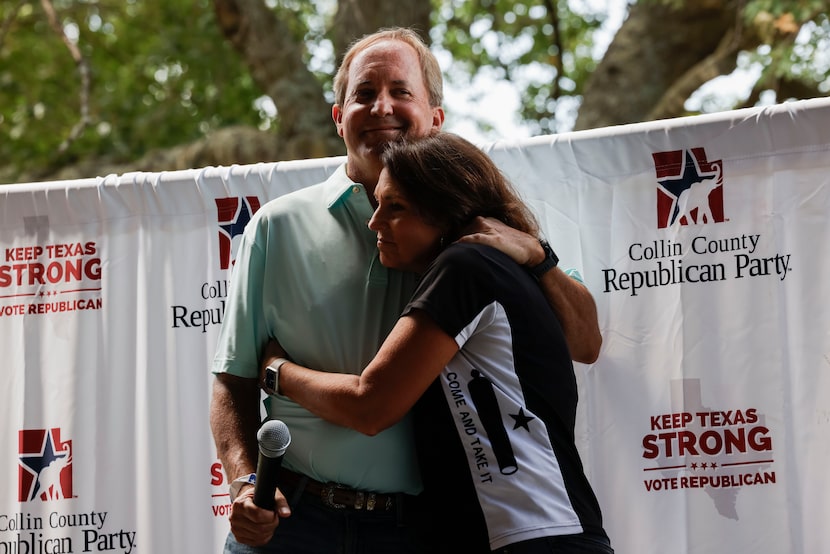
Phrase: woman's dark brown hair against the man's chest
x=450 y=181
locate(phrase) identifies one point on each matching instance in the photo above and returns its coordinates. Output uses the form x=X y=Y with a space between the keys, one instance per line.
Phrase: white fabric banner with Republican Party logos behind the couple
x=704 y=425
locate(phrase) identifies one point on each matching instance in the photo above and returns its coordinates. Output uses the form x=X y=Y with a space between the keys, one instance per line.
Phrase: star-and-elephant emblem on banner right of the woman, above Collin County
x=689 y=188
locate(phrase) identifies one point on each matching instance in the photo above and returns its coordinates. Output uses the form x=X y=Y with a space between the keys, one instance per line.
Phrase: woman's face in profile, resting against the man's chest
x=405 y=240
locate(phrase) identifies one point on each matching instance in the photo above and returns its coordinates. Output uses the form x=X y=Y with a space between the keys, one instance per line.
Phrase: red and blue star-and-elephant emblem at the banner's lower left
x=45 y=465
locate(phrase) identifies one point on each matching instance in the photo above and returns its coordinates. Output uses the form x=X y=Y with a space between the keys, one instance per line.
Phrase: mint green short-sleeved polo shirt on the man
x=307 y=273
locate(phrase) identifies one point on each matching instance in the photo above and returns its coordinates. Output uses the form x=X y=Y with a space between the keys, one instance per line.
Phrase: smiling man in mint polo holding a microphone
x=307 y=274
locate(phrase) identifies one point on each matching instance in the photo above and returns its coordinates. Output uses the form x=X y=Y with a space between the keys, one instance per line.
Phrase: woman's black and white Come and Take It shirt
x=495 y=431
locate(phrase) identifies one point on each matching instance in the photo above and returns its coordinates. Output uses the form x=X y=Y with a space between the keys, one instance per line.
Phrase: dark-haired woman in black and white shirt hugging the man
x=480 y=356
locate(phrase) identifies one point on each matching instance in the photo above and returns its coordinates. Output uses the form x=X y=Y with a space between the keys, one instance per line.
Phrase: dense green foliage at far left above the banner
x=160 y=75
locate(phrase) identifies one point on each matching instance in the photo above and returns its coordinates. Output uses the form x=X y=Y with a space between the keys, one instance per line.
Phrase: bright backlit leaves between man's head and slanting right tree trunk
x=547 y=54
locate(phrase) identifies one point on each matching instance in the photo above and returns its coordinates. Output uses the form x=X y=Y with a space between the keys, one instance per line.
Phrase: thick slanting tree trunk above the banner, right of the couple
x=657 y=46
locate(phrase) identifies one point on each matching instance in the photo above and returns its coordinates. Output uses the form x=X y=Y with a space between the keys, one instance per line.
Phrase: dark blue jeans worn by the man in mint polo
x=314 y=528
